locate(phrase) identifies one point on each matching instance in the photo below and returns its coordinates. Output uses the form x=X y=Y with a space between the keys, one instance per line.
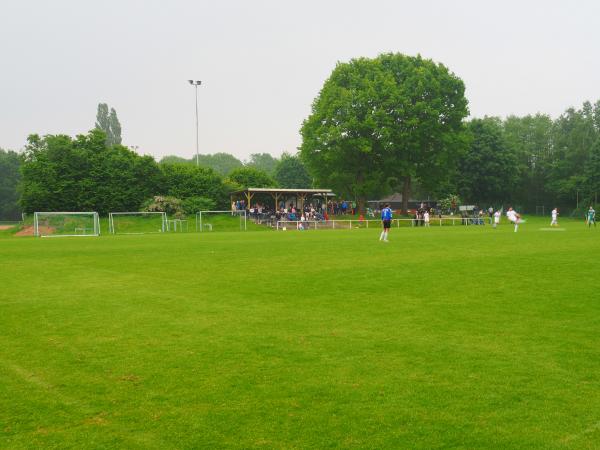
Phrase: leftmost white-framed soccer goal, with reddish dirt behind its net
x=63 y=224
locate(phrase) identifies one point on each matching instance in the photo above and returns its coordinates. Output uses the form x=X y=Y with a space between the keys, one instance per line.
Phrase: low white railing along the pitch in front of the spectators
x=347 y=224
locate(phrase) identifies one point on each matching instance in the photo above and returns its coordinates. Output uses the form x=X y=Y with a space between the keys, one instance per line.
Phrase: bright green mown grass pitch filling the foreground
x=451 y=337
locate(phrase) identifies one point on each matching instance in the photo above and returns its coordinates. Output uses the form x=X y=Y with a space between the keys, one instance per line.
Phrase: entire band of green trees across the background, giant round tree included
x=392 y=123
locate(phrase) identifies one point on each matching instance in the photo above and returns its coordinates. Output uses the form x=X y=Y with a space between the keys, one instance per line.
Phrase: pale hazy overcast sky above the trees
x=263 y=62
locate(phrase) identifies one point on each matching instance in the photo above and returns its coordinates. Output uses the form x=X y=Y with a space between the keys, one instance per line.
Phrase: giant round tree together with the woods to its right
x=397 y=123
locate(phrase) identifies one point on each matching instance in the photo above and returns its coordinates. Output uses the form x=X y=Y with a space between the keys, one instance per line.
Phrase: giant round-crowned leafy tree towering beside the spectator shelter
x=381 y=122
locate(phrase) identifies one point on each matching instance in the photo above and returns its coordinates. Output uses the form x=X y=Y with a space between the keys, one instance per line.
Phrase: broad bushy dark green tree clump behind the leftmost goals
x=64 y=174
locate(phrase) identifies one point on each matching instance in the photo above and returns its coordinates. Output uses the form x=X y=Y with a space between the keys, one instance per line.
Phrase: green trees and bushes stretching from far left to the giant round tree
x=84 y=173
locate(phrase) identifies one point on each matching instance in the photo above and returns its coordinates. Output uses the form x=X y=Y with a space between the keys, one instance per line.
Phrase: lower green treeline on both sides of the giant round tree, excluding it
x=525 y=161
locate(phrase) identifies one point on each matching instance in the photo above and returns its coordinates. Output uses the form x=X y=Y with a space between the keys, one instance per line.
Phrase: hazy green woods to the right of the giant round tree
x=533 y=160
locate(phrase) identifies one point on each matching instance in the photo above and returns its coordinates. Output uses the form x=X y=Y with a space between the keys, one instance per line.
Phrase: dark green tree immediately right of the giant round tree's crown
x=487 y=172
